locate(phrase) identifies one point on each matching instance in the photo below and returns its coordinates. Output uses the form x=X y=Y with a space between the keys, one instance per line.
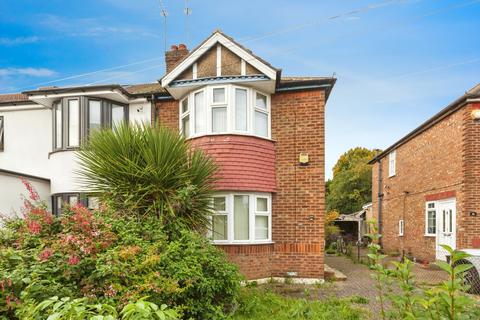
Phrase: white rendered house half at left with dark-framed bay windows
x=40 y=131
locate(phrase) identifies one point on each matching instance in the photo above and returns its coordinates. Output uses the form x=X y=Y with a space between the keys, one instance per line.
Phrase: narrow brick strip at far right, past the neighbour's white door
x=469 y=228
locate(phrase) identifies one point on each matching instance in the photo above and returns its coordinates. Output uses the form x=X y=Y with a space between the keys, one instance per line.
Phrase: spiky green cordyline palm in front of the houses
x=142 y=170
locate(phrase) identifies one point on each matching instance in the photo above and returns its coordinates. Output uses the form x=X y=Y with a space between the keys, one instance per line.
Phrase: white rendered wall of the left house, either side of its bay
x=28 y=146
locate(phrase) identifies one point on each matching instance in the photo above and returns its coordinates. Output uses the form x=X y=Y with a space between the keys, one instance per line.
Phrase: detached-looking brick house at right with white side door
x=426 y=186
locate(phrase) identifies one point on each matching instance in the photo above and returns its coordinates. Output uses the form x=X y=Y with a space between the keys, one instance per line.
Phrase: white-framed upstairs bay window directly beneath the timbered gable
x=225 y=109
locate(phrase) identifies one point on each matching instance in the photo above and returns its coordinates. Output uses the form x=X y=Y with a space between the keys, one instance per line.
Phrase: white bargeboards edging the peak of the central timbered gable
x=229 y=43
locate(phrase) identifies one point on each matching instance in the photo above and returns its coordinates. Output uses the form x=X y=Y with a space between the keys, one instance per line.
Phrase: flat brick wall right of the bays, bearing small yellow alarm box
x=299 y=204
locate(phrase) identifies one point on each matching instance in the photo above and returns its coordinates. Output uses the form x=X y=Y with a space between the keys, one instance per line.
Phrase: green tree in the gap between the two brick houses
x=351 y=186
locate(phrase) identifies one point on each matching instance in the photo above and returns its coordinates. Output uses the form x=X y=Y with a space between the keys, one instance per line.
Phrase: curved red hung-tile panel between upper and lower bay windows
x=245 y=162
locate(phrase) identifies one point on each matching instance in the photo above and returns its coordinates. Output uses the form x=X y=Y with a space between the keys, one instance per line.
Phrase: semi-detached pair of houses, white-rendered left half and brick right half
x=265 y=131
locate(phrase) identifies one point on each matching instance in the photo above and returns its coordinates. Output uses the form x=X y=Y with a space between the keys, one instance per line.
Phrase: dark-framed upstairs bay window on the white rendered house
x=75 y=118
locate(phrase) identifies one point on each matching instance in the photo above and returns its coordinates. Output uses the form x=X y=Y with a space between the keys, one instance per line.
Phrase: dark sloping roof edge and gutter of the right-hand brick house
x=445 y=112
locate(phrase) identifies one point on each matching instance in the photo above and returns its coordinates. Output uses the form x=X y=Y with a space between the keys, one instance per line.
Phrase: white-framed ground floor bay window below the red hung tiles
x=241 y=218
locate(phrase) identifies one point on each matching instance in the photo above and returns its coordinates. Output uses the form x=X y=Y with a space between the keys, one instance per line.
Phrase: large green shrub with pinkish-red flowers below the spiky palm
x=108 y=260
